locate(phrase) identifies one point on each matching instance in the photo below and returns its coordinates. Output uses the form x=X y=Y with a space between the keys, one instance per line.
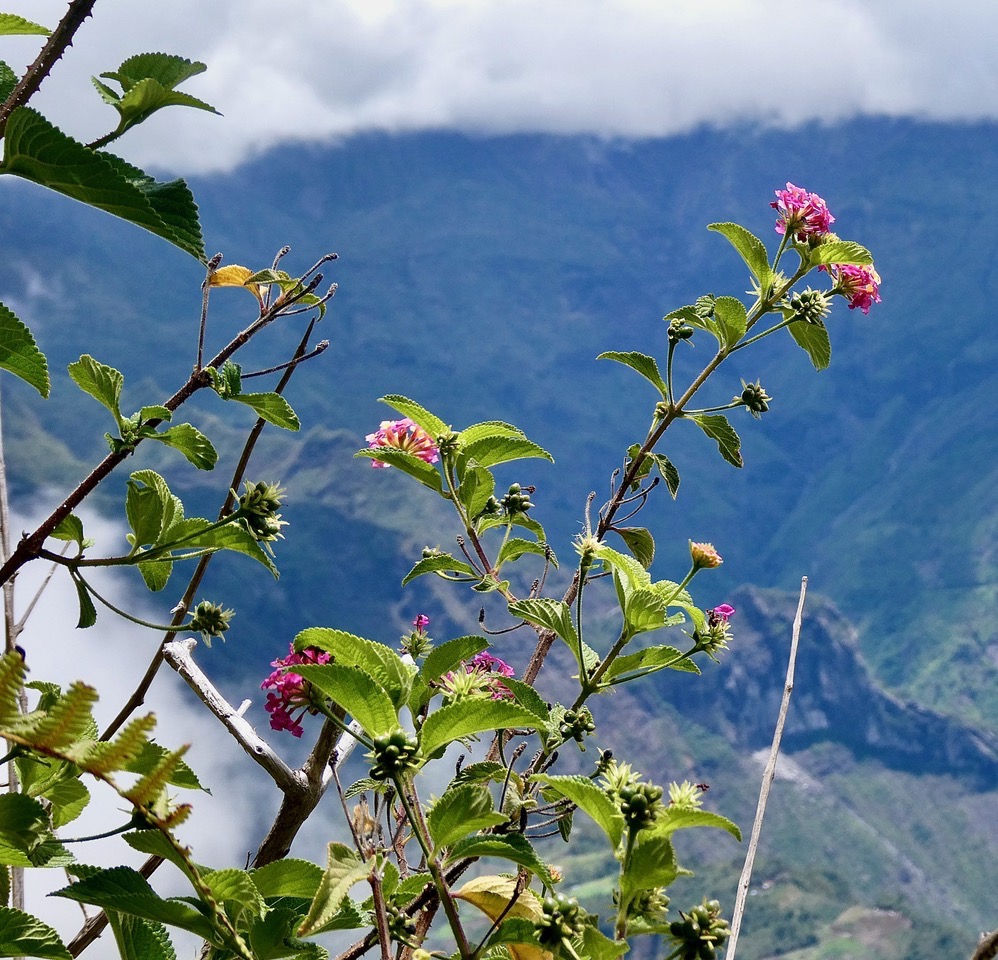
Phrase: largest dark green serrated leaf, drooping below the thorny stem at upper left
x=37 y=151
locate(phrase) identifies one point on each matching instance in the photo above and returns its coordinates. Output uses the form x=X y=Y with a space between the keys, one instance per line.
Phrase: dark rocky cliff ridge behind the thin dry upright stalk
x=834 y=698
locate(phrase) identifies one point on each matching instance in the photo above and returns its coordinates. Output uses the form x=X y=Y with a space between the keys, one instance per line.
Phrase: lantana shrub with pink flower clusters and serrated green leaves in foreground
x=403 y=884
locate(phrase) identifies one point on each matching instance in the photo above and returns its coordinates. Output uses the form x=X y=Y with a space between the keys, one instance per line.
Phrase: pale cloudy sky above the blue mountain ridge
x=307 y=71
